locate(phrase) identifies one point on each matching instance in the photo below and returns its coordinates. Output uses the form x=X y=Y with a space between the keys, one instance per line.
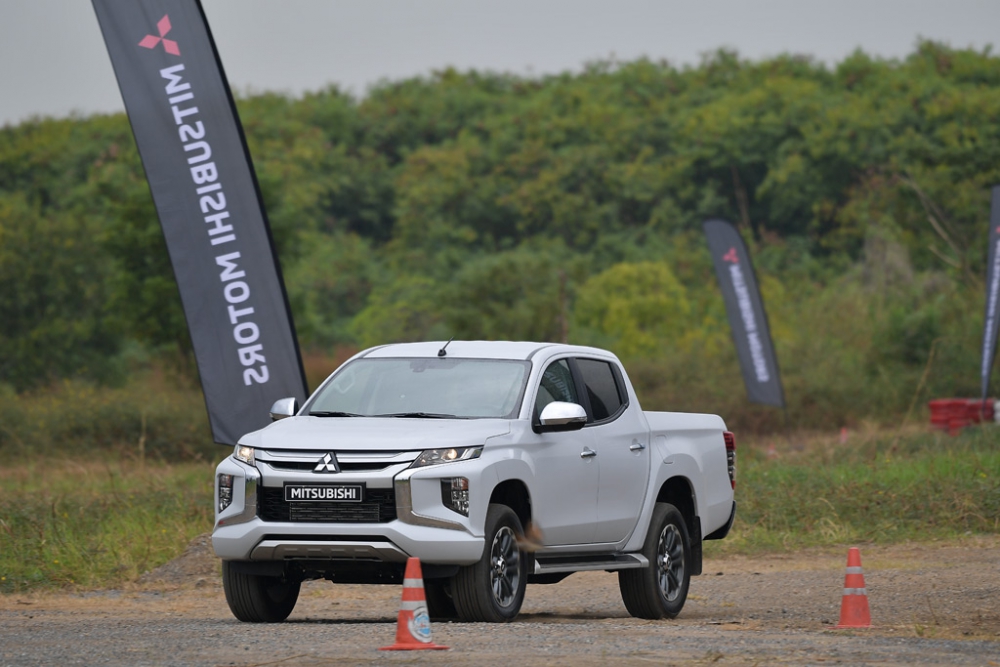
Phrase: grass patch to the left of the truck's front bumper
x=90 y=524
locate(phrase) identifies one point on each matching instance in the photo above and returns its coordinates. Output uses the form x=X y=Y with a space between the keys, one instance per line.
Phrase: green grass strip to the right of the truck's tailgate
x=880 y=490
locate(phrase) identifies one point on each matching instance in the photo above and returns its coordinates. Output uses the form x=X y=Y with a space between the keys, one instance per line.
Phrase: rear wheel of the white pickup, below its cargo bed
x=660 y=590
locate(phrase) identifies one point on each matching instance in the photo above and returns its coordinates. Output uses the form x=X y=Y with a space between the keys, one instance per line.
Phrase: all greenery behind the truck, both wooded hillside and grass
x=492 y=206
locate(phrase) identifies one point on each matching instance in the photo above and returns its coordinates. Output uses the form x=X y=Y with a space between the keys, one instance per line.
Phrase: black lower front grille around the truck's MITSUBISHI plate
x=379 y=506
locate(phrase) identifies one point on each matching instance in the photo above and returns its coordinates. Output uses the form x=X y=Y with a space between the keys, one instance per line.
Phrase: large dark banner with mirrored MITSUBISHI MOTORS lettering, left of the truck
x=206 y=195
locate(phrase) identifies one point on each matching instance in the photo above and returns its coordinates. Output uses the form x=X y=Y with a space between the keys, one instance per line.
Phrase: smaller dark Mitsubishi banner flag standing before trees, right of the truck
x=745 y=310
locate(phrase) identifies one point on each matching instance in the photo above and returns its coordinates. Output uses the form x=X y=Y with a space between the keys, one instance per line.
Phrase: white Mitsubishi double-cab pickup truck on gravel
x=497 y=464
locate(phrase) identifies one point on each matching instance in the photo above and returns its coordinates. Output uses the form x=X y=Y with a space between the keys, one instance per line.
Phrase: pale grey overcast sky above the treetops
x=53 y=61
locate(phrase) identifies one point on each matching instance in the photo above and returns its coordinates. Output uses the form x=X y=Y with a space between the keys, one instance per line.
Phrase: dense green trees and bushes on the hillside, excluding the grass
x=481 y=205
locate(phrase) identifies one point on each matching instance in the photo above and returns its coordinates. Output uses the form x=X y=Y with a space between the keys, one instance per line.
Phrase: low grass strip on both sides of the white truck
x=101 y=521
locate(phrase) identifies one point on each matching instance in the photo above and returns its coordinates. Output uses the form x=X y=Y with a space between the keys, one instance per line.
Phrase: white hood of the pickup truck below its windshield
x=373 y=433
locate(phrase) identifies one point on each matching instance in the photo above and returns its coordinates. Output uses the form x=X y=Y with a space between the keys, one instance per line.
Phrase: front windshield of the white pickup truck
x=447 y=388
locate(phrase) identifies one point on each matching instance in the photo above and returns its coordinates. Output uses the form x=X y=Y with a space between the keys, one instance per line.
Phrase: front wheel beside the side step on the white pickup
x=492 y=590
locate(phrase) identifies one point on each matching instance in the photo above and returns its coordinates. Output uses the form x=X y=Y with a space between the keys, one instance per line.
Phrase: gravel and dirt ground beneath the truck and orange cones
x=931 y=605
